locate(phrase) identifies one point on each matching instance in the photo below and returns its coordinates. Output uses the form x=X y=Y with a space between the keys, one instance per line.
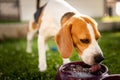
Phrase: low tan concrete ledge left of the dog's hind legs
x=11 y=30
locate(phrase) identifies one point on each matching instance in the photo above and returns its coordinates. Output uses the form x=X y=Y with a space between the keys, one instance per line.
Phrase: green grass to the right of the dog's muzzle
x=110 y=44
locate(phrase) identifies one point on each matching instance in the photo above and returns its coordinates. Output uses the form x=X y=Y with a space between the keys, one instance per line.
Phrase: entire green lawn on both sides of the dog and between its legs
x=16 y=64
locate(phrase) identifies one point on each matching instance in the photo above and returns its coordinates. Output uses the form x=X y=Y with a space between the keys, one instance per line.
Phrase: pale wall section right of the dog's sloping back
x=94 y=8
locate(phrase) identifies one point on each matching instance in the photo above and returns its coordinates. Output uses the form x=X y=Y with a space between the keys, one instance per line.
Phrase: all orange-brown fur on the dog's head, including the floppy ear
x=72 y=31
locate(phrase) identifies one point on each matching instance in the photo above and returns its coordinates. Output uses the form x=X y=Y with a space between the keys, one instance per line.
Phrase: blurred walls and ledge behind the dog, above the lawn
x=20 y=11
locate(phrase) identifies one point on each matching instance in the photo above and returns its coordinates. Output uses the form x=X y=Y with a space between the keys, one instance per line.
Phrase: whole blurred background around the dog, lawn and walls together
x=16 y=64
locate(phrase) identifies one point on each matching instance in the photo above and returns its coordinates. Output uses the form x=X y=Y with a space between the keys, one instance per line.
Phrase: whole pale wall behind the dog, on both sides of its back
x=94 y=8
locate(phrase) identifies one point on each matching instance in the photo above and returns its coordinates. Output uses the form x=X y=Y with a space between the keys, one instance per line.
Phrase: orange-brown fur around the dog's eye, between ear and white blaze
x=80 y=31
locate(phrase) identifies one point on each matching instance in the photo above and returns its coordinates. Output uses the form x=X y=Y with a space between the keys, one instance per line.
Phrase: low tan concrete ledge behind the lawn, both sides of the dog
x=18 y=30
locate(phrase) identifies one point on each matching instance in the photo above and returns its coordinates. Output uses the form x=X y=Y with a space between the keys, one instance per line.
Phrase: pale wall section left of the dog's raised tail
x=27 y=8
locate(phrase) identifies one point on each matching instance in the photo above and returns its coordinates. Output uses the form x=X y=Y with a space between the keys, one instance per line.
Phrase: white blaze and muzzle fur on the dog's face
x=92 y=50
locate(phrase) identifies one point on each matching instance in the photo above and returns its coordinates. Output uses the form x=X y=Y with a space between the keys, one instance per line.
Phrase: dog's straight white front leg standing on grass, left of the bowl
x=42 y=53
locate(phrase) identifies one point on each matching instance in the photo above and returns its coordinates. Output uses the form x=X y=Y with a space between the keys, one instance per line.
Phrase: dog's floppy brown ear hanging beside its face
x=64 y=41
